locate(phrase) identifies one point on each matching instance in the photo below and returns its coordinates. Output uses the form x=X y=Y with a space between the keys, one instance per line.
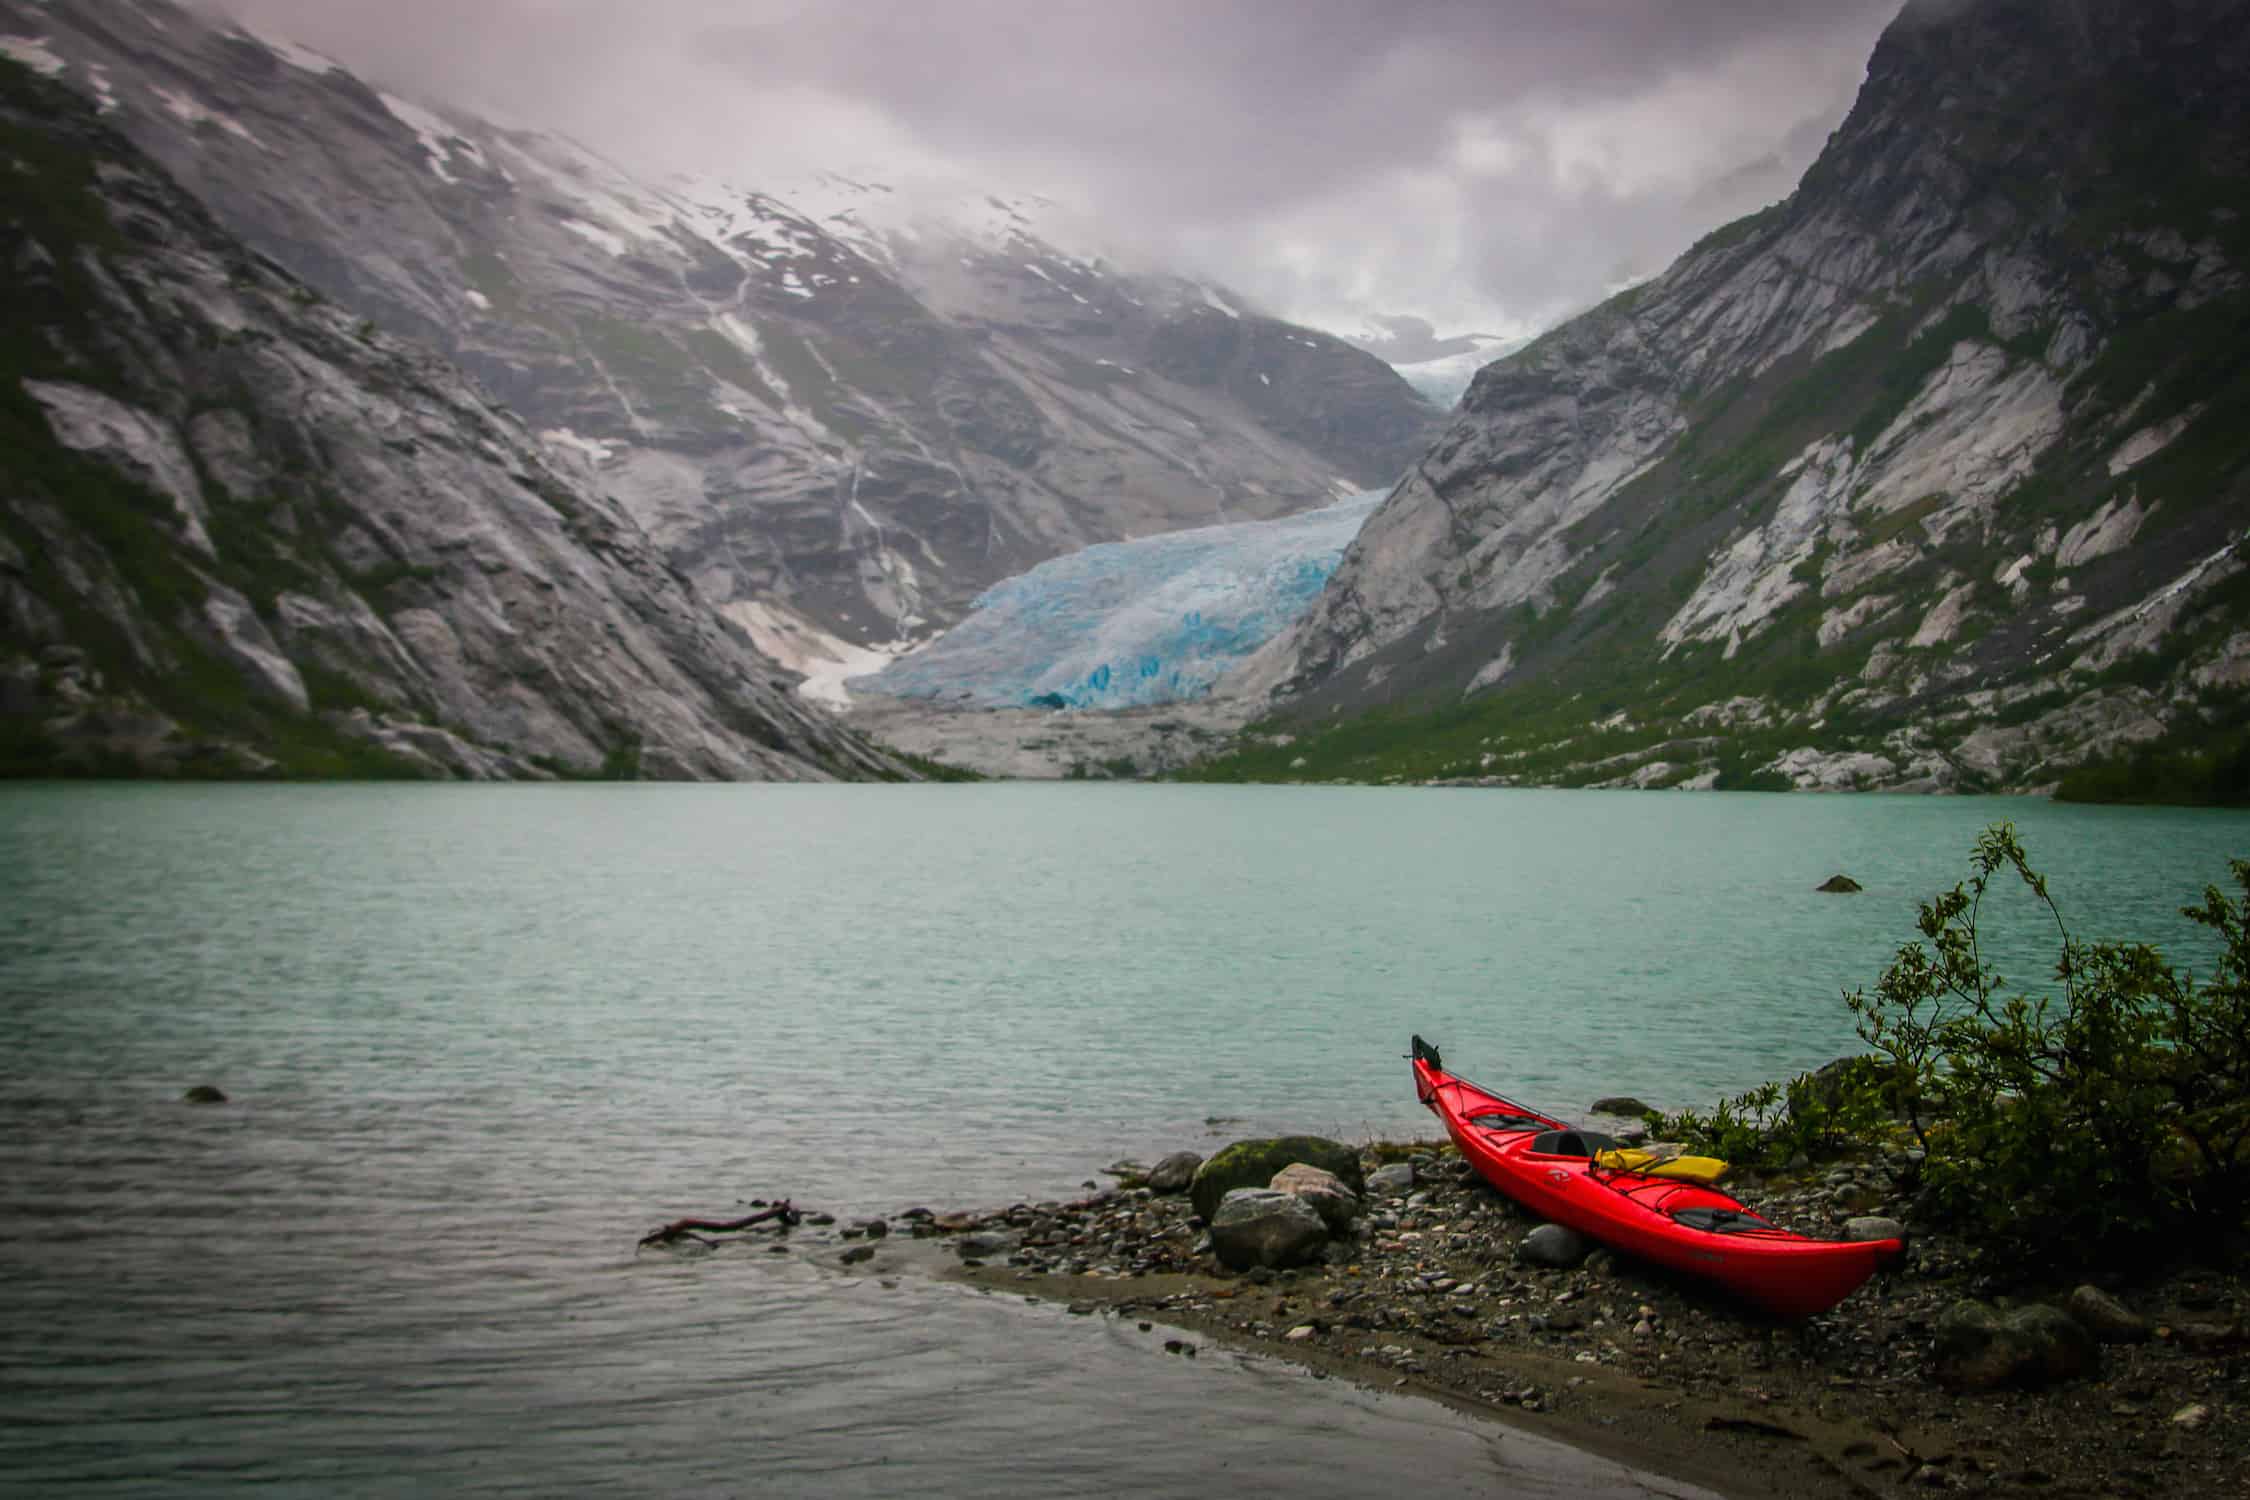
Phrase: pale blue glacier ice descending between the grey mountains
x=1131 y=624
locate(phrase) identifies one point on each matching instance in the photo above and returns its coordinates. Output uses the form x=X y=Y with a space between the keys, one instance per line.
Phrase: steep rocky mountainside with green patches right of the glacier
x=1932 y=476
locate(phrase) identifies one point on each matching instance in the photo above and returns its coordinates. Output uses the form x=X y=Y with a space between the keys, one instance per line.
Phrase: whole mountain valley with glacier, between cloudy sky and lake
x=361 y=435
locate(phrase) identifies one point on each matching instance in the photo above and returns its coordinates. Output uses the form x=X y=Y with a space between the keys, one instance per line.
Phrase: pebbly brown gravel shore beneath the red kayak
x=1425 y=1294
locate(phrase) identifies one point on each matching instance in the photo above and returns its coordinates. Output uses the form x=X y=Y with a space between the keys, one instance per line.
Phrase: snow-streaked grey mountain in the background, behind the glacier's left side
x=843 y=419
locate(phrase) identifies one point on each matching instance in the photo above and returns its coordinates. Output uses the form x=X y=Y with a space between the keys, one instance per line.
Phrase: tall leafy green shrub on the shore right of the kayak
x=2080 y=1119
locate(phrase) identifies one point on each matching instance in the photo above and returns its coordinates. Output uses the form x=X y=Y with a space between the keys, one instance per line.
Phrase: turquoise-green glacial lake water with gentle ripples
x=478 y=1040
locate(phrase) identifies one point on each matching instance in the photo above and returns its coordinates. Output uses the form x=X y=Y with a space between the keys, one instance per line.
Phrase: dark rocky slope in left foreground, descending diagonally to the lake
x=246 y=532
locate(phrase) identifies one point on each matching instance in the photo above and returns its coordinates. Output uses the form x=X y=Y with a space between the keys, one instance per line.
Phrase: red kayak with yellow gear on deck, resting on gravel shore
x=1558 y=1173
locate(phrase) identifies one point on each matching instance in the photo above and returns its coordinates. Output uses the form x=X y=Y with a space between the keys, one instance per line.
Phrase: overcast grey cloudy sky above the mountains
x=1475 y=163
